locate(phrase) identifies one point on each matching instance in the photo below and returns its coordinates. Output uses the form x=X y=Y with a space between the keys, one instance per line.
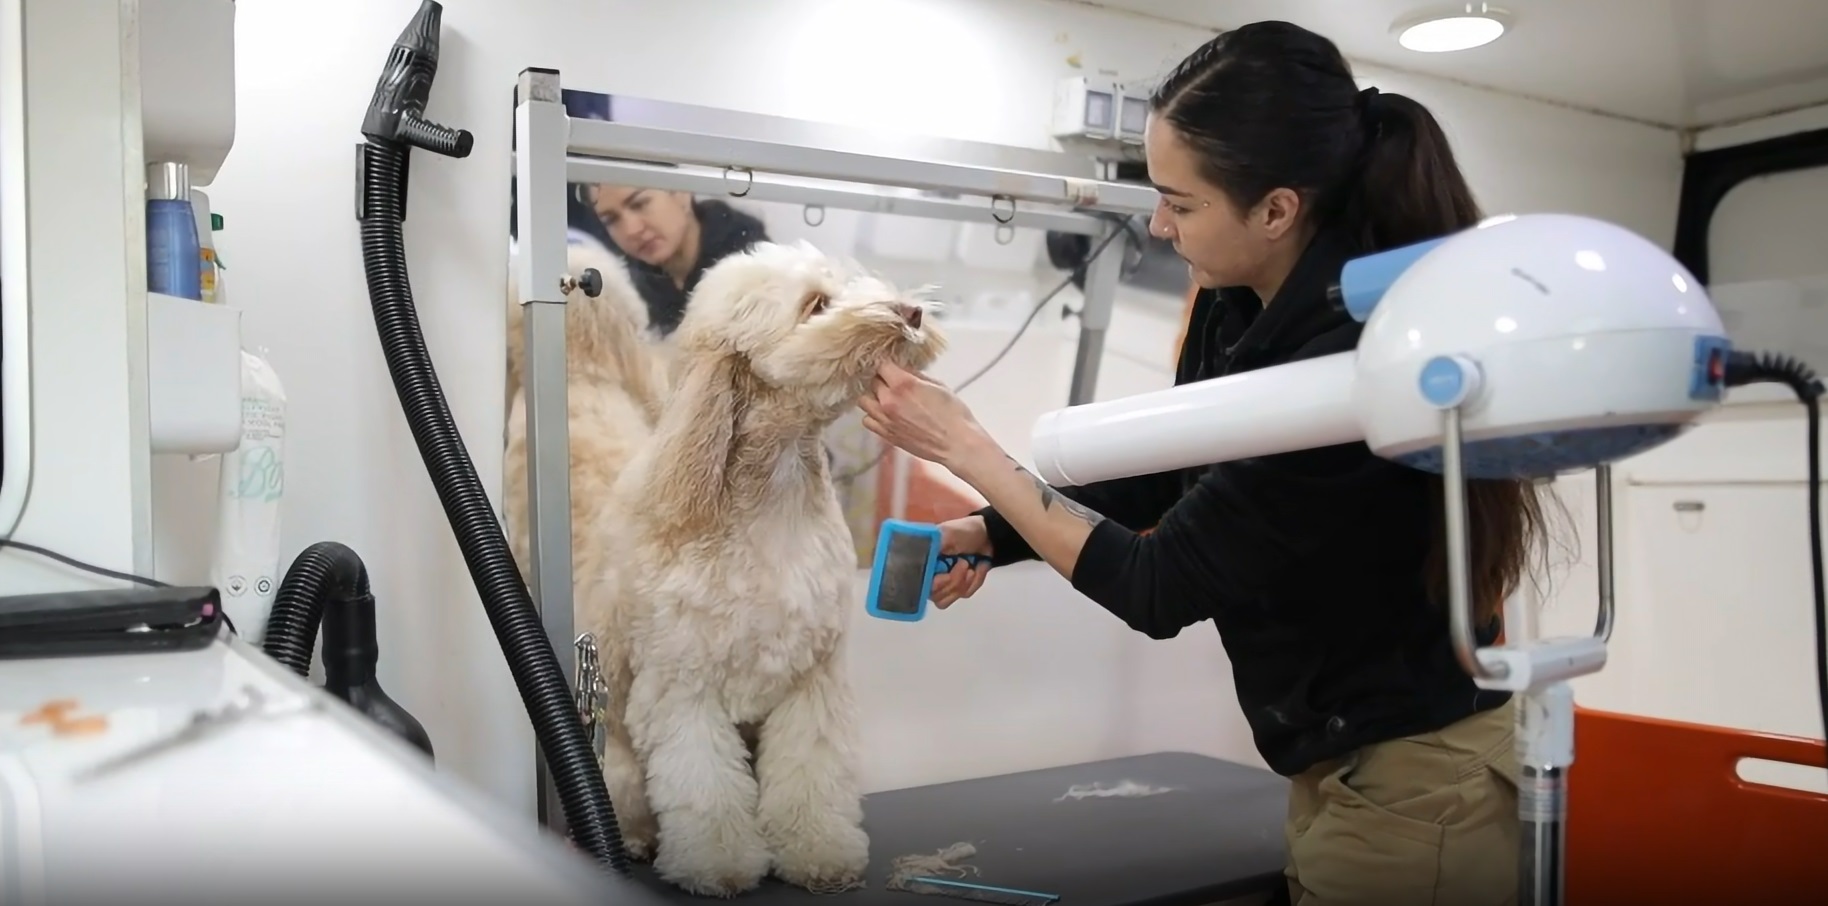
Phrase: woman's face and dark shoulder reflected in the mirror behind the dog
x=670 y=240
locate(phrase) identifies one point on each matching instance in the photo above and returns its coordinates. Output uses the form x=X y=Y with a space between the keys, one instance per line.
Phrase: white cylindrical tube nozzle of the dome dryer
x=1297 y=406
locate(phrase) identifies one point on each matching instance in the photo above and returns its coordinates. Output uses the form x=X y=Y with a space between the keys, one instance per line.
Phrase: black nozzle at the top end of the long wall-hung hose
x=398 y=112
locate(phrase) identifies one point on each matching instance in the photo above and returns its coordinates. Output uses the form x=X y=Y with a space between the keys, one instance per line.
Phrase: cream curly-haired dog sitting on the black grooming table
x=732 y=580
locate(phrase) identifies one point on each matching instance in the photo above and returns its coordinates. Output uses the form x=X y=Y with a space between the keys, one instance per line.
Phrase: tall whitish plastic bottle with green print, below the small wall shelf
x=248 y=503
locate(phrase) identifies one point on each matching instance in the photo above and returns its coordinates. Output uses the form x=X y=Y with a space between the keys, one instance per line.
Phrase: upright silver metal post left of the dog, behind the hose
x=542 y=136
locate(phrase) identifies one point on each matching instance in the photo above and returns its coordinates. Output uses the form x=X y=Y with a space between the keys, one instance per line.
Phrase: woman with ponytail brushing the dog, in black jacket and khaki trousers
x=1321 y=569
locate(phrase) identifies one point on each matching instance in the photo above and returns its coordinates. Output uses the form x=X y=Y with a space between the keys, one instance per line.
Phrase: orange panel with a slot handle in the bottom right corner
x=1657 y=814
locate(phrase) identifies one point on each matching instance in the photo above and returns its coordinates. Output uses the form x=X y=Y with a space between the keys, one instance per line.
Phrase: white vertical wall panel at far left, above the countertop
x=90 y=478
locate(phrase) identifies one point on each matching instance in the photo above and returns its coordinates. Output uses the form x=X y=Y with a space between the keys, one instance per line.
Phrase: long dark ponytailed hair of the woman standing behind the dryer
x=1273 y=107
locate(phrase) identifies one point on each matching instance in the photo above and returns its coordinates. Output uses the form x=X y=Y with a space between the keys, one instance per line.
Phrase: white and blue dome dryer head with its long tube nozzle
x=1562 y=342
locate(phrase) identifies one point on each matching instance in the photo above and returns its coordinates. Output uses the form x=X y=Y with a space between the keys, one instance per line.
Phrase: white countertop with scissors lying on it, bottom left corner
x=312 y=805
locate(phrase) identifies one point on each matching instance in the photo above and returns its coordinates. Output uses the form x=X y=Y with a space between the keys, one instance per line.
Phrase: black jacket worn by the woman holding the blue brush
x=1310 y=564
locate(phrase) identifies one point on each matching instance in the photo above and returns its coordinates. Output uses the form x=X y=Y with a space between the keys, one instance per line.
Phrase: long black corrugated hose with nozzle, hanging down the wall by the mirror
x=394 y=125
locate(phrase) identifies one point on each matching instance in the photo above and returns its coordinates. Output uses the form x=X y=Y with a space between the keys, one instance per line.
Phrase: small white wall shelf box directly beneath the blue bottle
x=195 y=375
